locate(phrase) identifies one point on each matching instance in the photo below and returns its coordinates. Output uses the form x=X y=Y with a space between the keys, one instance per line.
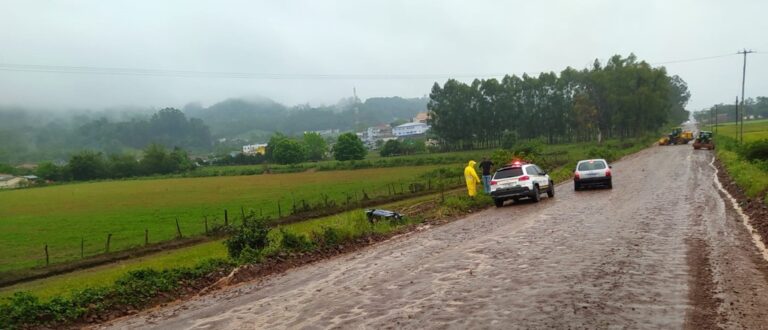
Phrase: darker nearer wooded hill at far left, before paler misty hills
x=31 y=136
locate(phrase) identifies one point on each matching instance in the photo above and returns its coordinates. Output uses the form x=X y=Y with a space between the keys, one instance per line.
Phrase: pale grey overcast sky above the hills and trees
x=308 y=46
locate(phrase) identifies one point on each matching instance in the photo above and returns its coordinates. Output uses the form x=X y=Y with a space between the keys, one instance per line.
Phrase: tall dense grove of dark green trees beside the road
x=623 y=98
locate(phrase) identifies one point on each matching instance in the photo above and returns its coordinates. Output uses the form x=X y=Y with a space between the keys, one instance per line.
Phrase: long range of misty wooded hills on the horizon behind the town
x=36 y=135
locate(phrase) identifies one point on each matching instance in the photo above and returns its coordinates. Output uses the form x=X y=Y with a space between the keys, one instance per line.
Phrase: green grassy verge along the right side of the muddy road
x=751 y=177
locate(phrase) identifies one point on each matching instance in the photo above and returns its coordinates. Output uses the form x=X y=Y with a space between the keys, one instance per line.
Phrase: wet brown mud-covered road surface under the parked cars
x=661 y=250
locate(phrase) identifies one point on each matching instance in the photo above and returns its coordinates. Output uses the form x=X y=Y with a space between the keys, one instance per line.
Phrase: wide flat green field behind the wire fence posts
x=61 y=215
